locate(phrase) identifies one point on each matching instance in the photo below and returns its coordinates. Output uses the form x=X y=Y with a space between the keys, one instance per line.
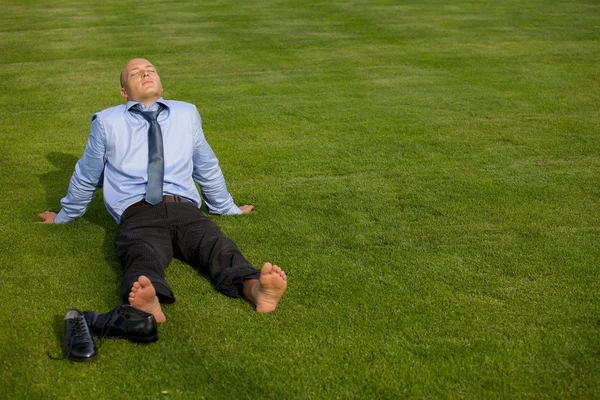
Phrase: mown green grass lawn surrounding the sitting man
x=427 y=173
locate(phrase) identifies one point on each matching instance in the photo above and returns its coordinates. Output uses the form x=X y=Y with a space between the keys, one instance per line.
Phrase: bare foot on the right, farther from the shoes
x=268 y=289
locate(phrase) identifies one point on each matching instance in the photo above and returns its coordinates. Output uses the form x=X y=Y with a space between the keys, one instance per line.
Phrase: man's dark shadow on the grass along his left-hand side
x=55 y=184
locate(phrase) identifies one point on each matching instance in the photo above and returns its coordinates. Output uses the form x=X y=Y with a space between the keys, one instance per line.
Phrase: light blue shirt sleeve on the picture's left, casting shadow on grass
x=87 y=177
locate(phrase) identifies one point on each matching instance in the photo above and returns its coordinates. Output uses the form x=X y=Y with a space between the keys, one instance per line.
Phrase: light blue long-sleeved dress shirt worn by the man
x=116 y=158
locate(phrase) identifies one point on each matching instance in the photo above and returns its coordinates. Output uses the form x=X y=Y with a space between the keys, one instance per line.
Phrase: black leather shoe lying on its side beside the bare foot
x=124 y=321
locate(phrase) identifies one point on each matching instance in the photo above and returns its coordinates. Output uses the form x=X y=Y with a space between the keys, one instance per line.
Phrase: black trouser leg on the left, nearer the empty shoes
x=143 y=246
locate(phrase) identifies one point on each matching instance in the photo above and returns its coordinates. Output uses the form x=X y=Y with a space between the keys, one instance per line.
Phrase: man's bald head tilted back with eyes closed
x=140 y=82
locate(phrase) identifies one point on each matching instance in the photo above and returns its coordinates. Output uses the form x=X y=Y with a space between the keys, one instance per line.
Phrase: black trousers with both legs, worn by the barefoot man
x=150 y=236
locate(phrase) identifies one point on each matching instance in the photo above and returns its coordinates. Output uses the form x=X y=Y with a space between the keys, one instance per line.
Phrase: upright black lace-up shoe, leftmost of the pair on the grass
x=78 y=344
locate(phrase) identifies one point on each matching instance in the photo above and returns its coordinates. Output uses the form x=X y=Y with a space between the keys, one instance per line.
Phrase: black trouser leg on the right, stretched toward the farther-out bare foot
x=198 y=241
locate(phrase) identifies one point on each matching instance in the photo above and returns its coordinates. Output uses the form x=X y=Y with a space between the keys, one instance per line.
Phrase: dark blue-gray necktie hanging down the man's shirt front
x=156 y=159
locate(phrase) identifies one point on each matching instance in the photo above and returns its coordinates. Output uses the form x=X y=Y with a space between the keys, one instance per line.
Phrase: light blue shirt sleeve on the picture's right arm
x=208 y=175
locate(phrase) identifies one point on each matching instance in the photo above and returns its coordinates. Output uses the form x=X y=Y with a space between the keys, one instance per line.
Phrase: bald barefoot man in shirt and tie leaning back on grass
x=146 y=155
